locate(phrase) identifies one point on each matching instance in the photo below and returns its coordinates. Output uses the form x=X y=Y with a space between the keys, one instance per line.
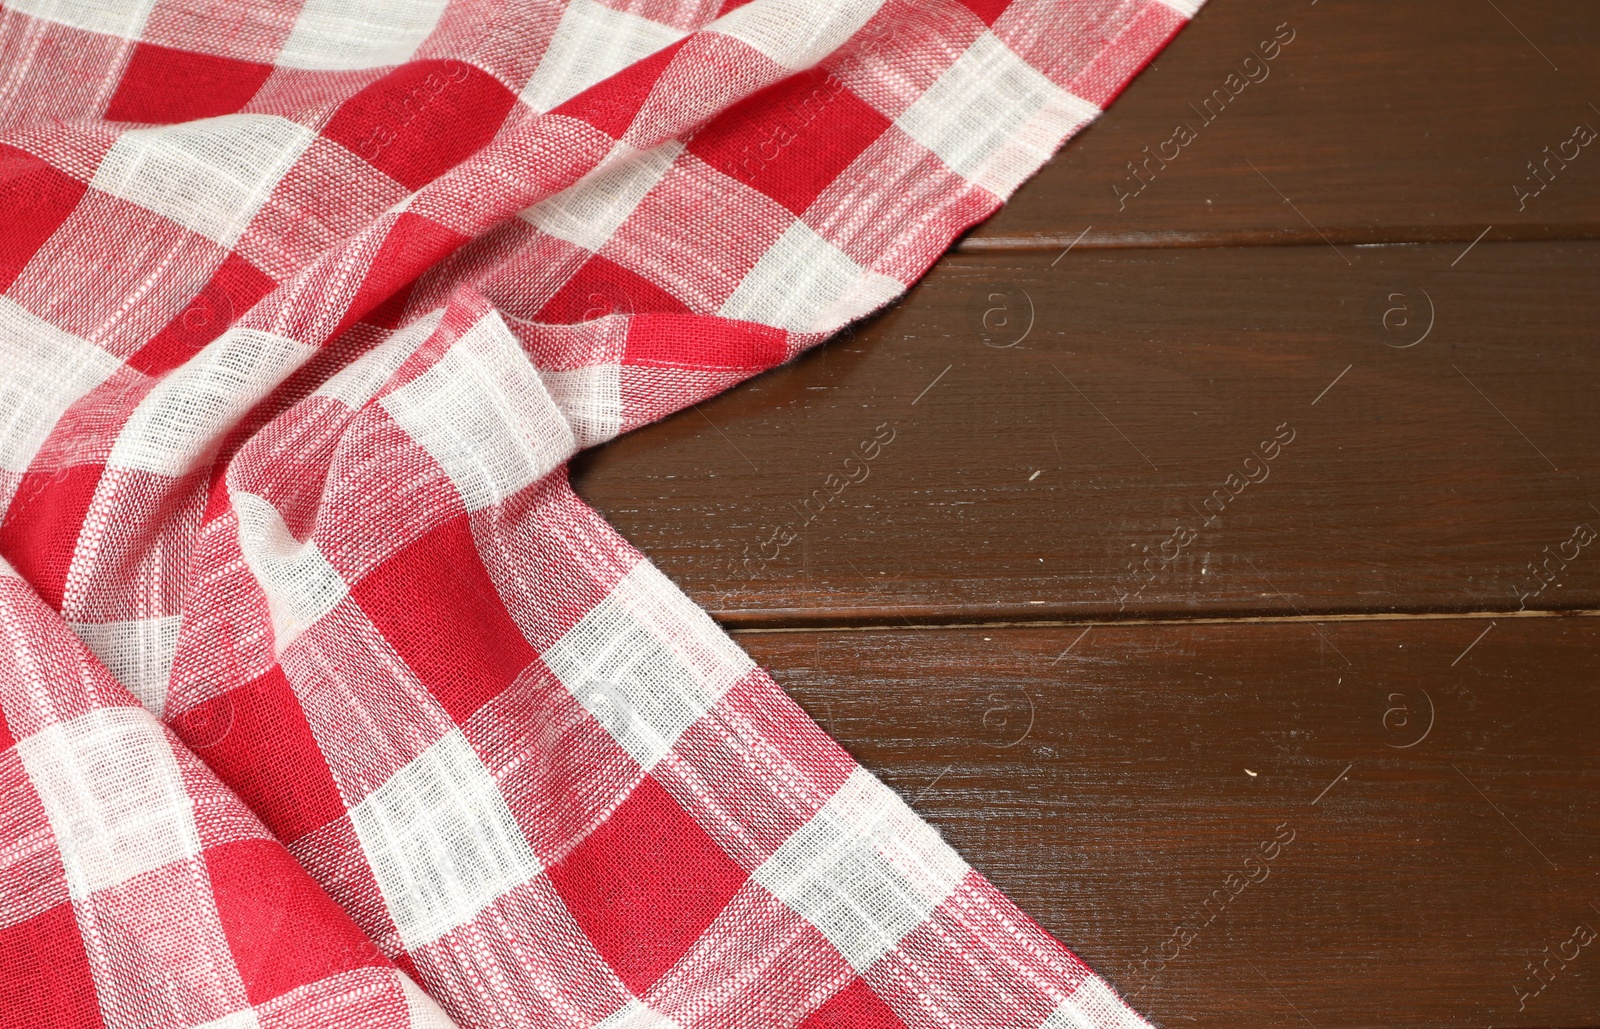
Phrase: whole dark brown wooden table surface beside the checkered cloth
x=1226 y=585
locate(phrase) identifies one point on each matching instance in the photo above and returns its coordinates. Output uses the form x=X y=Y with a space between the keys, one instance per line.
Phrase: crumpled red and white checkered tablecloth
x=326 y=702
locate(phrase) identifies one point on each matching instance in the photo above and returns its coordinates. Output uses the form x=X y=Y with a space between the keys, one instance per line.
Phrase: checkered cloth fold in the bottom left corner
x=137 y=889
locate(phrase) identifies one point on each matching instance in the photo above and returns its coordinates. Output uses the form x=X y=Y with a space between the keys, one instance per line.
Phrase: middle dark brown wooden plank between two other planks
x=1042 y=481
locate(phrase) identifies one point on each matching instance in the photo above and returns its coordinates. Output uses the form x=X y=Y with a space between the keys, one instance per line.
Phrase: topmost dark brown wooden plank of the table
x=1382 y=122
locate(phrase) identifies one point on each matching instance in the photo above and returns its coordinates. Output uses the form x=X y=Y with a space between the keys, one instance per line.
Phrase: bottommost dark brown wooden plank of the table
x=1114 y=790
